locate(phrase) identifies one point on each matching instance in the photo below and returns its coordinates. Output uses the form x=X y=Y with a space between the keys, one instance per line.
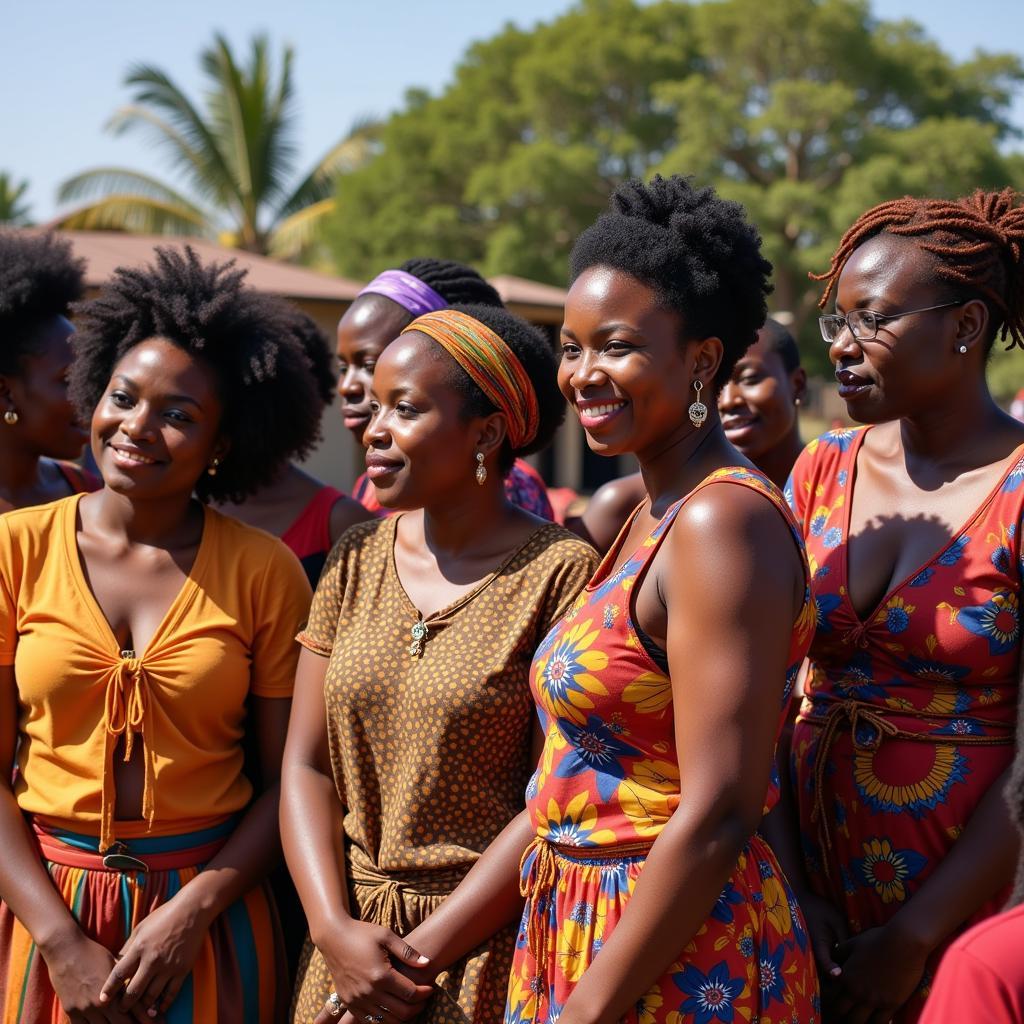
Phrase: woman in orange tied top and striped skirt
x=136 y=625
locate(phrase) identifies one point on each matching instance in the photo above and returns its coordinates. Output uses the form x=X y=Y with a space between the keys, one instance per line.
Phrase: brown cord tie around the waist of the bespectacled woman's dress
x=856 y=714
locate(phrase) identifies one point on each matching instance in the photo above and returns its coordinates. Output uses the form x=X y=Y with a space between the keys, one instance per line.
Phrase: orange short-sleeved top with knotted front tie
x=228 y=634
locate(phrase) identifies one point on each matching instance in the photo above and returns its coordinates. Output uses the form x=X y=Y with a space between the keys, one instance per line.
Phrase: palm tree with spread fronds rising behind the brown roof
x=237 y=158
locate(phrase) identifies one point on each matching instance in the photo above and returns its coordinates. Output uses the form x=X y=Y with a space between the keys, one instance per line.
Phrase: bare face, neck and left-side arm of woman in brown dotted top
x=421 y=455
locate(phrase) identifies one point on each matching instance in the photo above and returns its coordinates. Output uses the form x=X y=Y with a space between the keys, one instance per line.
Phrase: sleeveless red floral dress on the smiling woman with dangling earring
x=607 y=786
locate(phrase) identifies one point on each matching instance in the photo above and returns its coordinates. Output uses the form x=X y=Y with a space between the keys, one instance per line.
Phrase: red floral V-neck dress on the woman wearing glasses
x=910 y=714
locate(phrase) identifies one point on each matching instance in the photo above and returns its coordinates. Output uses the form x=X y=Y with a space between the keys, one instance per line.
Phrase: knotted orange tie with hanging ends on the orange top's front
x=126 y=713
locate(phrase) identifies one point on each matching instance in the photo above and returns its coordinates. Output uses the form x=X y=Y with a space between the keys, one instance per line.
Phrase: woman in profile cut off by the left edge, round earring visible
x=39 y=280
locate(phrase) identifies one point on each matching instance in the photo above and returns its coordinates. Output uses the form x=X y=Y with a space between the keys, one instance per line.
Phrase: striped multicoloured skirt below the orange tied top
x=241 y=972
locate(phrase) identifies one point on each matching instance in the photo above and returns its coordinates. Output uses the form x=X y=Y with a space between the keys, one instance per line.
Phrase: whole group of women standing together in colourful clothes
x=494 y=752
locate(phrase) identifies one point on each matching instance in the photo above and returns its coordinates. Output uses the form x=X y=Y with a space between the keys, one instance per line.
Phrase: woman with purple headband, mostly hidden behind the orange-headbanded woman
x=381 y=312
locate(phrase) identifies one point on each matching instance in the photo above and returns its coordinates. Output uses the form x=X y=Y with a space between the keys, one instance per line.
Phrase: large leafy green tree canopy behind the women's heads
x=805 y=111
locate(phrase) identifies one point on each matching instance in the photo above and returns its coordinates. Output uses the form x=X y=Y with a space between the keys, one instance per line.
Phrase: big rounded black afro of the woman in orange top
x=271 y=399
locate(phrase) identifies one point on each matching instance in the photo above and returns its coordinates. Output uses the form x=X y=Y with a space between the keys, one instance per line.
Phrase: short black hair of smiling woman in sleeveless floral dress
x=698 y=251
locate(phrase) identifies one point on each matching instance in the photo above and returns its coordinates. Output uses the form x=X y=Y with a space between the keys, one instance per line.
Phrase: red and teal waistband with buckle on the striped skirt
x=165 y=854
